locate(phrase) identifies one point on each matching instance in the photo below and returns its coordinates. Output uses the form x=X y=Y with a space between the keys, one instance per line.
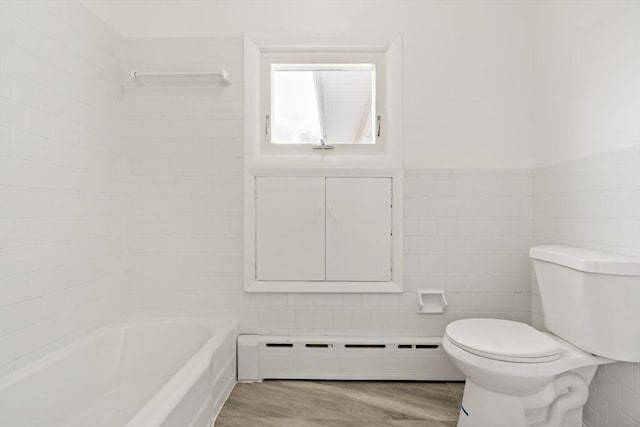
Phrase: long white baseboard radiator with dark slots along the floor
x=263 y=357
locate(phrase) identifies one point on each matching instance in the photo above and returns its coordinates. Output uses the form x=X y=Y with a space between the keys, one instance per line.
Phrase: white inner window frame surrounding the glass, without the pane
x=269 y=58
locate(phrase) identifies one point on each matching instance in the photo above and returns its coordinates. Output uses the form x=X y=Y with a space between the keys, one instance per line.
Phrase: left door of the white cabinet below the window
x=290 y=218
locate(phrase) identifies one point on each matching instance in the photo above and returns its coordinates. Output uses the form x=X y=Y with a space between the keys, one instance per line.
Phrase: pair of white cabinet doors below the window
x=323 y=229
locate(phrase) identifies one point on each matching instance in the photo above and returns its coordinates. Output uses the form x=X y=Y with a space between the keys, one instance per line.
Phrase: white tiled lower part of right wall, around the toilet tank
x=595 y=202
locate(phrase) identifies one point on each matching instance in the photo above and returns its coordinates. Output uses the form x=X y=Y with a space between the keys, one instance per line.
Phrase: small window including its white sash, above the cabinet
x=322 y=99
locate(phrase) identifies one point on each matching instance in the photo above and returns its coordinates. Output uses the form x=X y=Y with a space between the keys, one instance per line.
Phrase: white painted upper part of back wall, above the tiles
x=467 y=64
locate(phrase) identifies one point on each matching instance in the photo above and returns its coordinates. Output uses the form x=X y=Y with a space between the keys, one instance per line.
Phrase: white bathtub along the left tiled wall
x=135 y=374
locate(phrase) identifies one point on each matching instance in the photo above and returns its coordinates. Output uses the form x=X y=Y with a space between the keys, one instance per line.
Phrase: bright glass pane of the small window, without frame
x=333 y=103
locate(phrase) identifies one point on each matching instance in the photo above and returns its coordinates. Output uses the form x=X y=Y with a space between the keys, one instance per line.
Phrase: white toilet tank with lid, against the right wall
x=591 y=299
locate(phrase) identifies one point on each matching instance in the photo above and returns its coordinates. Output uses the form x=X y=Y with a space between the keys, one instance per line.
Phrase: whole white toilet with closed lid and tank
x=518 y=376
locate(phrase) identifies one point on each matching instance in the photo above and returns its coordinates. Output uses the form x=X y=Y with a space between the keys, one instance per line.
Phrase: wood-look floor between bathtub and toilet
x=342 y=403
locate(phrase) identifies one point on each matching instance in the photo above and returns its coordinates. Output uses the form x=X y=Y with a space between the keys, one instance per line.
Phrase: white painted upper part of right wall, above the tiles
x=587 y=78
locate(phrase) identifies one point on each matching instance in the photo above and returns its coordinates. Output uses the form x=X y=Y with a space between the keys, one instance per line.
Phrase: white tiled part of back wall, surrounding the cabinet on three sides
x=466 y=231
